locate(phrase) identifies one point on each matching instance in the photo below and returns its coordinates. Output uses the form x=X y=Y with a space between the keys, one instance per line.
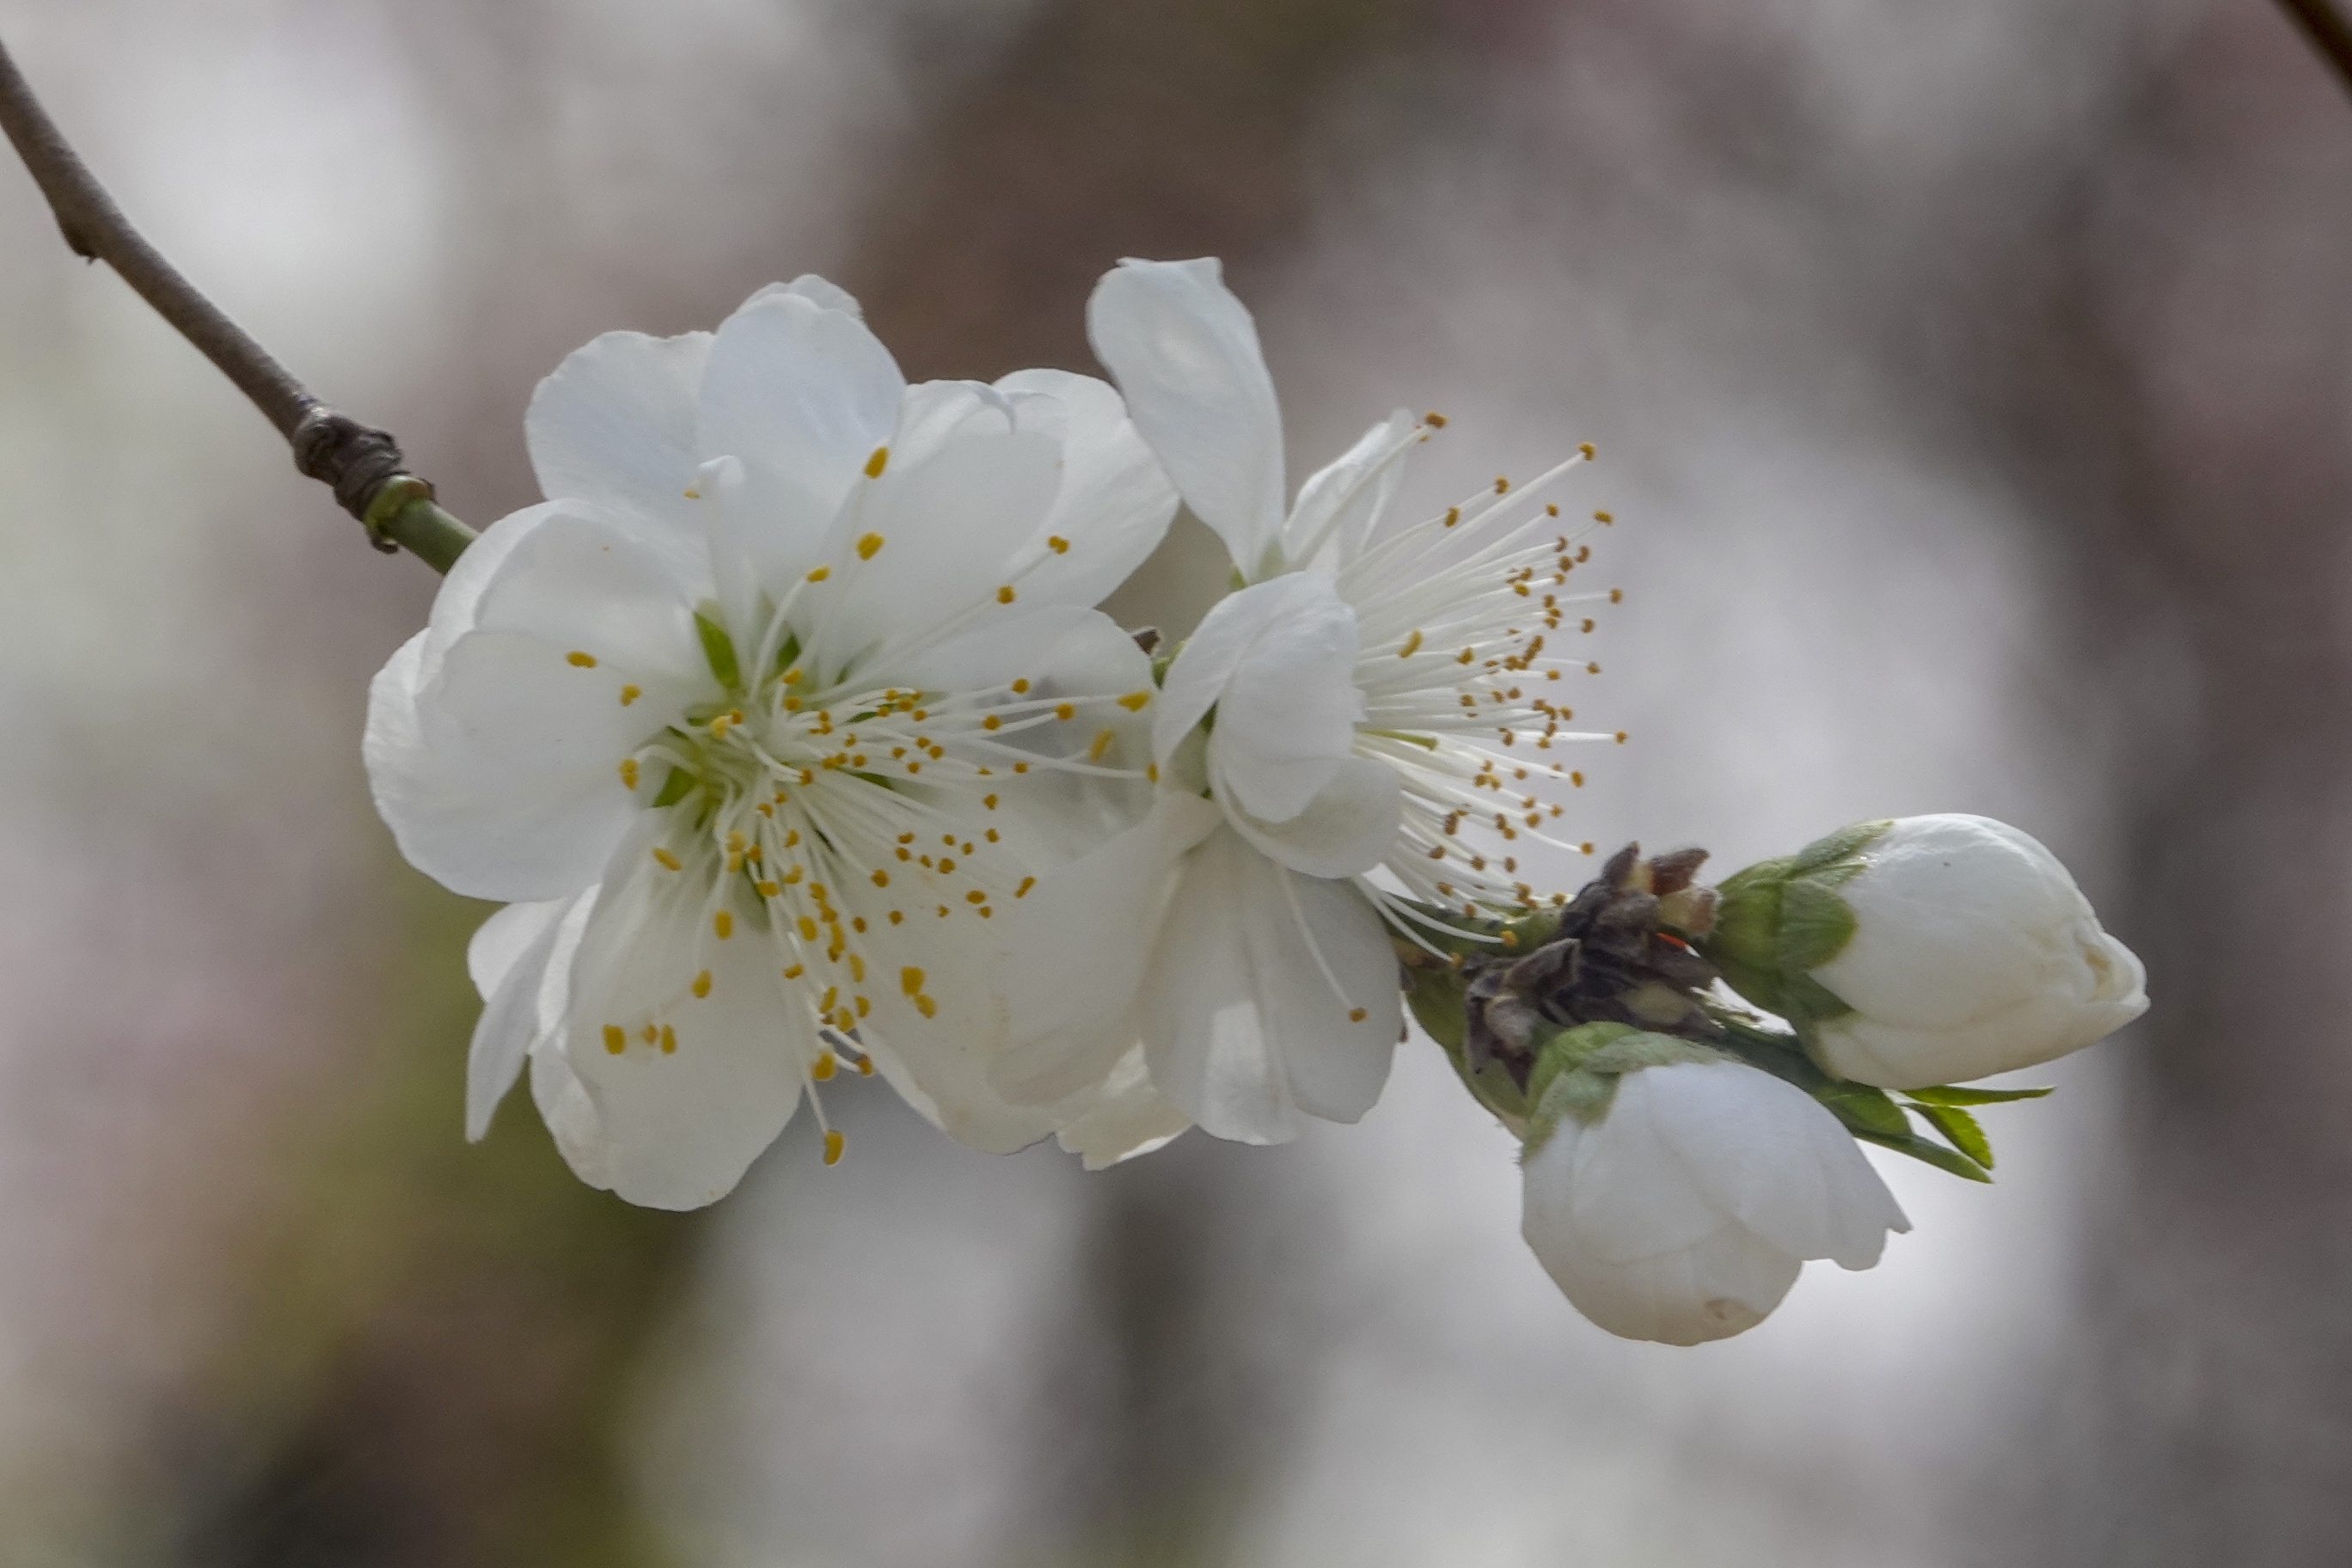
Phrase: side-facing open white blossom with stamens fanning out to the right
x=1377 y=711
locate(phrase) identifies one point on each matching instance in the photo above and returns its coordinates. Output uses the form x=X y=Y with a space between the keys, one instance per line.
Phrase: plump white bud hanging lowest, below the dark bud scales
x=1681 y=1198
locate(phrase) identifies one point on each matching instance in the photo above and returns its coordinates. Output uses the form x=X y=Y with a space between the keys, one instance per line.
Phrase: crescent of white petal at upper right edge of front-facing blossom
x=1116 y=502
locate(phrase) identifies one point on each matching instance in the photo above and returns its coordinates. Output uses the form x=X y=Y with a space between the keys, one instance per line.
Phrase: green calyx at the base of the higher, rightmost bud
x=1782 y=920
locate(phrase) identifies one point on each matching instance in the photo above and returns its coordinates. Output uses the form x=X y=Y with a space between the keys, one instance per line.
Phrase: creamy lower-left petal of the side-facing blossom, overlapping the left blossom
x=1076 y=951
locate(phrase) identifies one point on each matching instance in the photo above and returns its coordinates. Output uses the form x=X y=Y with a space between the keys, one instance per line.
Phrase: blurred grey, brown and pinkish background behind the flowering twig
x=1975 y=391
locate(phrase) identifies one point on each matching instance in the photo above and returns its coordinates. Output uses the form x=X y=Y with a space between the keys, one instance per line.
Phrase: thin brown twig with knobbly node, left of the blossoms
x=363 y=467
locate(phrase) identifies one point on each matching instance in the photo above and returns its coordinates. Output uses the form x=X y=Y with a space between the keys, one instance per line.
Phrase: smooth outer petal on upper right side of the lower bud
x=1775 y=1160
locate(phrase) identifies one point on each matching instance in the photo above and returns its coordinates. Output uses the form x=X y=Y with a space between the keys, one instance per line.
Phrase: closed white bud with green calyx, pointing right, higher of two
x=1927 y=951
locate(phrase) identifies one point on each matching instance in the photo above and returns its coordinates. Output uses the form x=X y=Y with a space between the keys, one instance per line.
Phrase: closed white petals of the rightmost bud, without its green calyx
x=1972 y=953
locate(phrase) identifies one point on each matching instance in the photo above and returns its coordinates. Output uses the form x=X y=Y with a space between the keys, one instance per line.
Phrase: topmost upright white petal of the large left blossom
x=803 y=396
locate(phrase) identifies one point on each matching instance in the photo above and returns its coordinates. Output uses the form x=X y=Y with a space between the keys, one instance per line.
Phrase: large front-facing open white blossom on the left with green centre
x=759 y=721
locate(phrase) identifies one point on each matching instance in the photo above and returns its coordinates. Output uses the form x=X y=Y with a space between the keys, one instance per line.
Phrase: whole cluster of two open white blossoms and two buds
x=791 y=739
